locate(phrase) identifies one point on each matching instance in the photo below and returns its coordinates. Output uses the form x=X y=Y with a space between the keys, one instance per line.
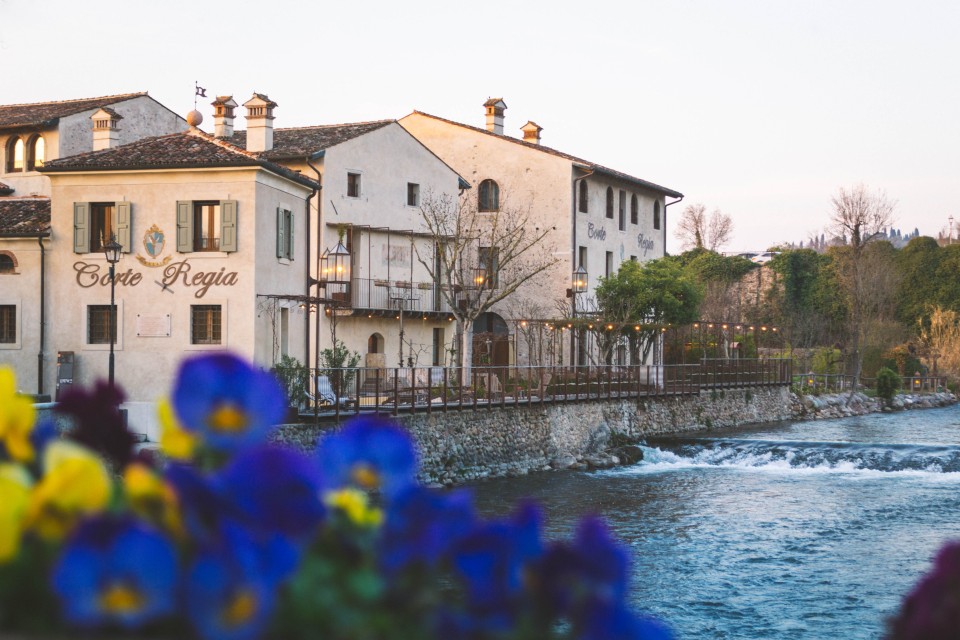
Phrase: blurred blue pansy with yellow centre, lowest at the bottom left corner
x=116 y=571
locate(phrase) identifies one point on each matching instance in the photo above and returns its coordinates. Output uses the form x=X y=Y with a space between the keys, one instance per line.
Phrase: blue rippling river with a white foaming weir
x=784 y=530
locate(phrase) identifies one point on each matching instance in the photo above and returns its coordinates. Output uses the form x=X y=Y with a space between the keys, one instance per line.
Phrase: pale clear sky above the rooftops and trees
x=760 y=108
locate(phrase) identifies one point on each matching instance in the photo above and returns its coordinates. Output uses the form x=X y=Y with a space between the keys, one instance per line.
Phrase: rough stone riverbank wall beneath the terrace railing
x=459 y=446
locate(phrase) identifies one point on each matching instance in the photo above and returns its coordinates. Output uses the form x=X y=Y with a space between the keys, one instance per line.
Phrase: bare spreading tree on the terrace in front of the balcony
x=479 y=258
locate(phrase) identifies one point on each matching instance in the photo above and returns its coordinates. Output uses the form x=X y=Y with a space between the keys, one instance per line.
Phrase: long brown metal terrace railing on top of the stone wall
x=344 y=392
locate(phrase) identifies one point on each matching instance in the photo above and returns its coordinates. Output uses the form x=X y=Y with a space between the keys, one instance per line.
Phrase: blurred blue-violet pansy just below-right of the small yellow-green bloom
x=422 y=526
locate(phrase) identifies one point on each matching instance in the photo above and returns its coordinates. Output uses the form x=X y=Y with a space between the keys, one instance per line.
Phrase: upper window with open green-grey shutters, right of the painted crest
x=206 y=225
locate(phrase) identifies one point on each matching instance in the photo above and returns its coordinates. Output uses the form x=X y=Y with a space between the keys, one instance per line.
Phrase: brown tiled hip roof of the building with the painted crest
x=185 y=150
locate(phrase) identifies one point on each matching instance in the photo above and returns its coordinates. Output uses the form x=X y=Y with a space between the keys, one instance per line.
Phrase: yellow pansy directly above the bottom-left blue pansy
x=75 y=483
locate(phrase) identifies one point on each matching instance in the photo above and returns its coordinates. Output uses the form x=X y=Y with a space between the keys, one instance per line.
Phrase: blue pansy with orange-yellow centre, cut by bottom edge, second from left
x=231 y=588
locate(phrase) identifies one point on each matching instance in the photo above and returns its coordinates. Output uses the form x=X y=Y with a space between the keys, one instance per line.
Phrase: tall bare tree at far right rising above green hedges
x=859 y=216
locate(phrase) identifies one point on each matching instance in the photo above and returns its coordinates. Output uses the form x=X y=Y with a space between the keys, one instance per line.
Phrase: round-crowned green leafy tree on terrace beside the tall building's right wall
x=648 y=296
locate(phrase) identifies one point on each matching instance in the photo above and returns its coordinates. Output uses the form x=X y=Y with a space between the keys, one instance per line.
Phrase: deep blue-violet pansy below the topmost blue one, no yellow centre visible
x=274 y=488
